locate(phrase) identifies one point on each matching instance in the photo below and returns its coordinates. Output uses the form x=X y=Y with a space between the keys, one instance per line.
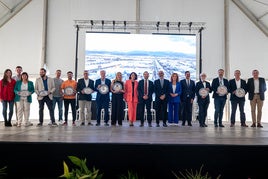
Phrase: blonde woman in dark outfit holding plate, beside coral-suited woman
x=117 y=89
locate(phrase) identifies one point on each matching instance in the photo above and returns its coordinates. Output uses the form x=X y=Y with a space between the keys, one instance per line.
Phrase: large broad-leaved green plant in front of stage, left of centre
x=80 y=171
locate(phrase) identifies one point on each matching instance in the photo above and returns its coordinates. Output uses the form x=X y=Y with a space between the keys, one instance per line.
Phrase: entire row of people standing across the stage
x=174 y=95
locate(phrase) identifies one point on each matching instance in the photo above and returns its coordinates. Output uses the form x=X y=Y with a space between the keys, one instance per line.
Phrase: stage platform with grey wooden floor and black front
x=152 y=152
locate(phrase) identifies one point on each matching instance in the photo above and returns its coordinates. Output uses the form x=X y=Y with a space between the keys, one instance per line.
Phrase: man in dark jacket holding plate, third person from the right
x=220 y=88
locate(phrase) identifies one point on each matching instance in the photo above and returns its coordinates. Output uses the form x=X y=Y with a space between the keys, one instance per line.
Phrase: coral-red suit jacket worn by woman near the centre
x=128 y=91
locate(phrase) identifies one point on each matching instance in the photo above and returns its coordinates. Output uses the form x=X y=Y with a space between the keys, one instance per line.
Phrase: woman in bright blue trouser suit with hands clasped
x=174 y=99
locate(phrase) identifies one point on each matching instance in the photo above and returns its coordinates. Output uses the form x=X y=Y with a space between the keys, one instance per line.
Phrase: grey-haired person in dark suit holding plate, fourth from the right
x=202 y=98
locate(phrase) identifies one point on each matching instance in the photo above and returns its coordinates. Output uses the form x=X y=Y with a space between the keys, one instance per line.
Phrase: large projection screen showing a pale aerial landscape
x=125 y=53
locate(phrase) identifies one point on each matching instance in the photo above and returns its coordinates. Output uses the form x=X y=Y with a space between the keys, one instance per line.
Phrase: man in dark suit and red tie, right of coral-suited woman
x=145 y=91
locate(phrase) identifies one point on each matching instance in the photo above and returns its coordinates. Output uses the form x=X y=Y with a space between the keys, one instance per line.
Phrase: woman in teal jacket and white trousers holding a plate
x=23 y=91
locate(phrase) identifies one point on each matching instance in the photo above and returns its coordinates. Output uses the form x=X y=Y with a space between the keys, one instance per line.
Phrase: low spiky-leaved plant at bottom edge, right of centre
x=193 y=175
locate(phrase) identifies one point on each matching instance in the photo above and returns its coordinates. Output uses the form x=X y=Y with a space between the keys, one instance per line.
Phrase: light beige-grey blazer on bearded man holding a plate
x=39 y=86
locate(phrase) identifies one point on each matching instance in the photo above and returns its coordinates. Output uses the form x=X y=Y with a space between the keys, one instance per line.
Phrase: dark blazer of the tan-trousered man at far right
x=250 y=87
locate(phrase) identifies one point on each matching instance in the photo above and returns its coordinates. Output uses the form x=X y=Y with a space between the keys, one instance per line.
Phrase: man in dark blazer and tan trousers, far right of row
x=256 y=88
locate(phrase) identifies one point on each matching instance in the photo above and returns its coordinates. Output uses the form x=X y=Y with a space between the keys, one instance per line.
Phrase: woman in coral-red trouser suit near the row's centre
x=131 y=97
